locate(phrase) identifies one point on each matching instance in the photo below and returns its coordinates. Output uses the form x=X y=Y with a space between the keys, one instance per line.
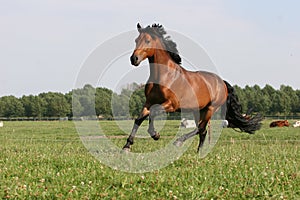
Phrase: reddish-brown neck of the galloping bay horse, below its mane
x=162 y=67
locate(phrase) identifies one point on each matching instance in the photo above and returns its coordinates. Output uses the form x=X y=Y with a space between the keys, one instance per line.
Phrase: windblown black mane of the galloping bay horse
x=171 y=47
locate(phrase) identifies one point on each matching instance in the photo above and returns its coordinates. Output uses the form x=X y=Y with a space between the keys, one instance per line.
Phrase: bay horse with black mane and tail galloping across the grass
x=175 y=89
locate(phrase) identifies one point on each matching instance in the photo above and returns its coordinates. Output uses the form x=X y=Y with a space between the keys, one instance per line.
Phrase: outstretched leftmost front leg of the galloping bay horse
x=144 y=114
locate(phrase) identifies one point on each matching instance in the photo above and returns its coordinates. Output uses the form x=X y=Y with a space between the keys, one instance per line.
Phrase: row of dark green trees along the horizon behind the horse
x=104 y=103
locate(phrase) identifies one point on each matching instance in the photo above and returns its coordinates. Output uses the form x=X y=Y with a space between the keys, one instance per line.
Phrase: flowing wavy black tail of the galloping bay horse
x=235 y=117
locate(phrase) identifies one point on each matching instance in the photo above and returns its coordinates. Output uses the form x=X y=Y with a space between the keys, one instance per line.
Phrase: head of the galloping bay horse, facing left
x=146 y=43
